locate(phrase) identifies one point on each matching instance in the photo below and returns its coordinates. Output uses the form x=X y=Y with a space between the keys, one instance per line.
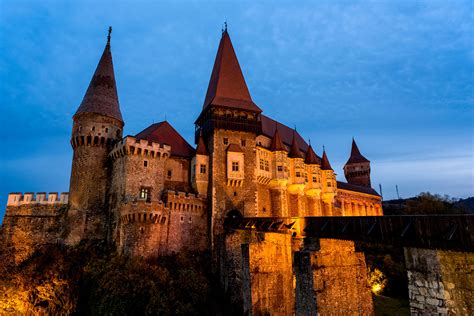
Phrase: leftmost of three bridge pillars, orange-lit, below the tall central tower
x=257 y=272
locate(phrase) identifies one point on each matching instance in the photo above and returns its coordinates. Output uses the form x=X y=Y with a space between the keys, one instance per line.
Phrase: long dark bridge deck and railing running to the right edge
x=451 y=232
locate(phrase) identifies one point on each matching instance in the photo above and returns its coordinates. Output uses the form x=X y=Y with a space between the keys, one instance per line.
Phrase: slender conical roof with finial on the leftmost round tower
x=101 y=95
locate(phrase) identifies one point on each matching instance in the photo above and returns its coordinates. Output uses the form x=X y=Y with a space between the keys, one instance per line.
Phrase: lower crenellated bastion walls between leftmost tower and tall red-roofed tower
x=150 y=229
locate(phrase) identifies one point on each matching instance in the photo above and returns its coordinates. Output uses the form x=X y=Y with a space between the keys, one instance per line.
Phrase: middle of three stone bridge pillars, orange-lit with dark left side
x=331 y=279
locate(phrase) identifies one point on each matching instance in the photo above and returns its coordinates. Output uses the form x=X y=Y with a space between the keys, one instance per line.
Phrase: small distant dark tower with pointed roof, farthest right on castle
x=357 y=168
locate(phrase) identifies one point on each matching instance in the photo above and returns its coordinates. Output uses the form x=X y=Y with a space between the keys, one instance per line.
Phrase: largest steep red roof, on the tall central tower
x=227 y=86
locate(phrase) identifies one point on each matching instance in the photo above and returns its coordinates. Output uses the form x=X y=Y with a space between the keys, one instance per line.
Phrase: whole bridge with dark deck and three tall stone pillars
x=310 y=266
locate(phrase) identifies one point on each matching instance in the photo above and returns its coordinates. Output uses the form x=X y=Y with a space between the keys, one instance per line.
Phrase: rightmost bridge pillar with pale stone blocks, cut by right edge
x=440 y=282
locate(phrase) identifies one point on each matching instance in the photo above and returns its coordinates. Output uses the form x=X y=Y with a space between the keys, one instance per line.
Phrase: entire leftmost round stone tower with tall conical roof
x=97 y=125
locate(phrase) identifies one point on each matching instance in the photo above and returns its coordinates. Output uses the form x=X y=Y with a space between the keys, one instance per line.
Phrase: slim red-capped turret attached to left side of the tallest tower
x=200 y=168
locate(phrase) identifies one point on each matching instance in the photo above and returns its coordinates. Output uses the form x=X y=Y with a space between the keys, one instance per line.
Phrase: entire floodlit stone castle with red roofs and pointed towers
x=153 y=193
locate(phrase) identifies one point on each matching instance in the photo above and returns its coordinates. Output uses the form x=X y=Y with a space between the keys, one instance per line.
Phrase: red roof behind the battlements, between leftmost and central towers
x=164 y=133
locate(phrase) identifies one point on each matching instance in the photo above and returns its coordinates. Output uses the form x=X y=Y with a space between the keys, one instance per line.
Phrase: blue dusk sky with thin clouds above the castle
x=396 y=75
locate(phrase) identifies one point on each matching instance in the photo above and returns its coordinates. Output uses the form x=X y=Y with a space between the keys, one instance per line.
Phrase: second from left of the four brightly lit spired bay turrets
x=297 y=179
